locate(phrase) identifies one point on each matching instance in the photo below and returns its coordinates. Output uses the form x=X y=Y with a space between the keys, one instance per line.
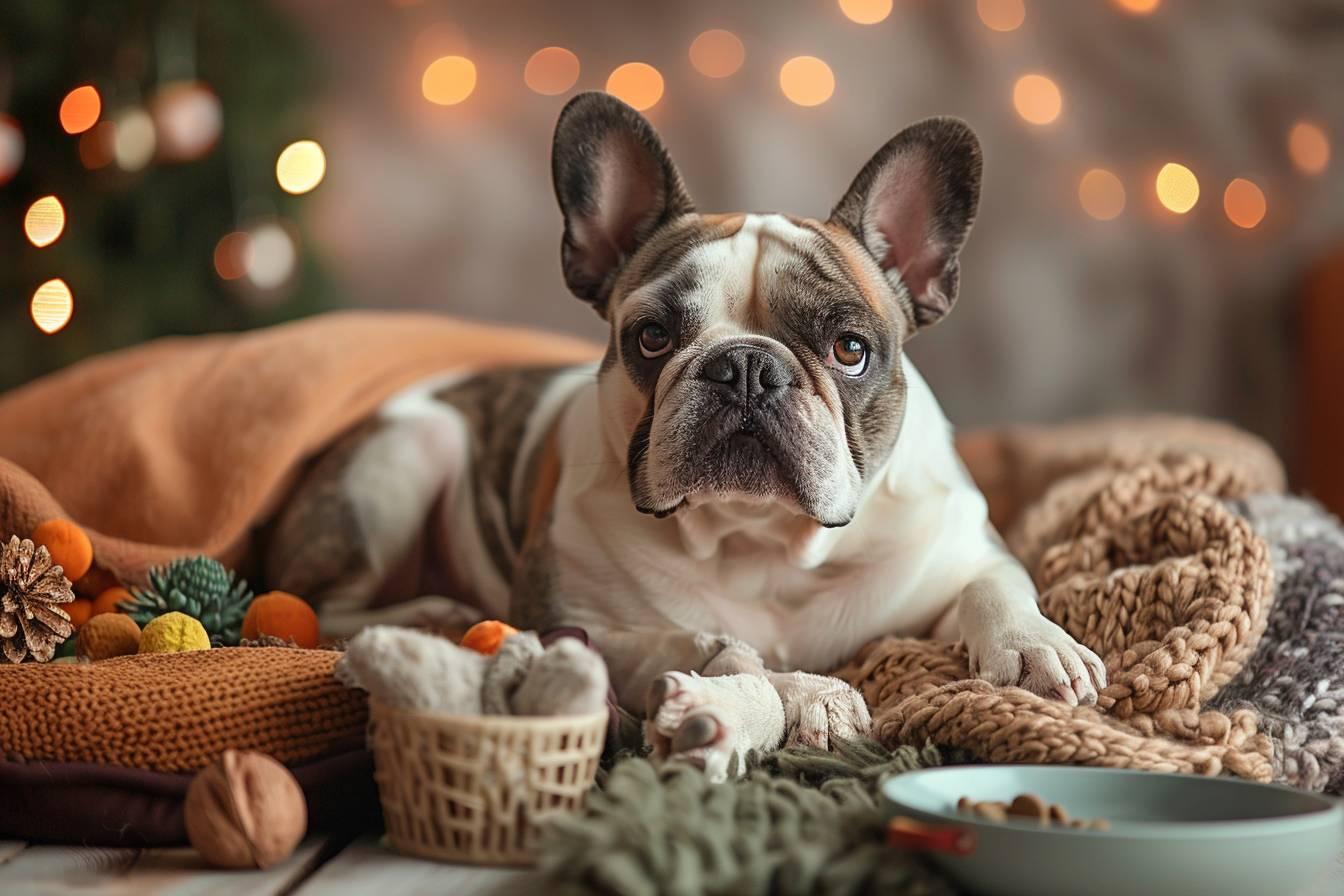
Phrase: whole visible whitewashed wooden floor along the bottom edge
x=319 y=868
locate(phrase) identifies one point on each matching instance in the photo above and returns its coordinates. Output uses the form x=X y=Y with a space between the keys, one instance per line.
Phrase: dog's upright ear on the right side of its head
x=912 y=208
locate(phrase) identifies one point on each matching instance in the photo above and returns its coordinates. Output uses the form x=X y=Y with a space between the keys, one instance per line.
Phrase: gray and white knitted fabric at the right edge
x=1296 y=676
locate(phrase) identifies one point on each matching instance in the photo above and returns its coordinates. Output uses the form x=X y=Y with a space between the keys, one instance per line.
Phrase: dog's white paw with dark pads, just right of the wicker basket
x=713 y=722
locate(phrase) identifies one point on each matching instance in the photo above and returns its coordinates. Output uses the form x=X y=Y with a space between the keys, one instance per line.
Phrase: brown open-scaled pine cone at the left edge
x=32 y=590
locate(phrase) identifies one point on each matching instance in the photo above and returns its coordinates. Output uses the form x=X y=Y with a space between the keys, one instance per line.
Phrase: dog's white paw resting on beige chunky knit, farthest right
x=1042 y=658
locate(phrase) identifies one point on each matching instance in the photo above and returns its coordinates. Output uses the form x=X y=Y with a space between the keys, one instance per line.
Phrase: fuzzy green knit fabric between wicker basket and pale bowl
x=802 y=821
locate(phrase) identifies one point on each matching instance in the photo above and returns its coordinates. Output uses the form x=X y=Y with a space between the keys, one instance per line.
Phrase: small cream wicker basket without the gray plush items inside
x=474 y=789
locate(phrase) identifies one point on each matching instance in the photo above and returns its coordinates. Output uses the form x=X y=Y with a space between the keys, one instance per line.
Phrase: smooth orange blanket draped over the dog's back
x=183 y=445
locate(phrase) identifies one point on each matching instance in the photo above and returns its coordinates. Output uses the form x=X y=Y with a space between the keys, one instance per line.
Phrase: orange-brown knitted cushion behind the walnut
x=179 y=711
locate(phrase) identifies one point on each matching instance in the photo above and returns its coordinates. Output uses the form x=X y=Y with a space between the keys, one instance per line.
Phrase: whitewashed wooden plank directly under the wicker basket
x=365 y=867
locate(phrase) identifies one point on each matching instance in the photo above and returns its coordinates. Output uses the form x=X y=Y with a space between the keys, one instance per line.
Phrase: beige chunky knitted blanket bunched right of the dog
x=1123 y=526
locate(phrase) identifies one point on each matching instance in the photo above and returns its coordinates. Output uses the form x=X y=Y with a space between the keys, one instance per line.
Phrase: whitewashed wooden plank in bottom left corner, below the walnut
x=159 y=872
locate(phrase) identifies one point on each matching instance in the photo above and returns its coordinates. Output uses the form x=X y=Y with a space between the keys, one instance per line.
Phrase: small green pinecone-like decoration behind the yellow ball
x=202 y=589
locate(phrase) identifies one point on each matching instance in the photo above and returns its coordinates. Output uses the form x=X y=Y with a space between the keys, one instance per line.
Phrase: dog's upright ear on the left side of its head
x=616 y=186
